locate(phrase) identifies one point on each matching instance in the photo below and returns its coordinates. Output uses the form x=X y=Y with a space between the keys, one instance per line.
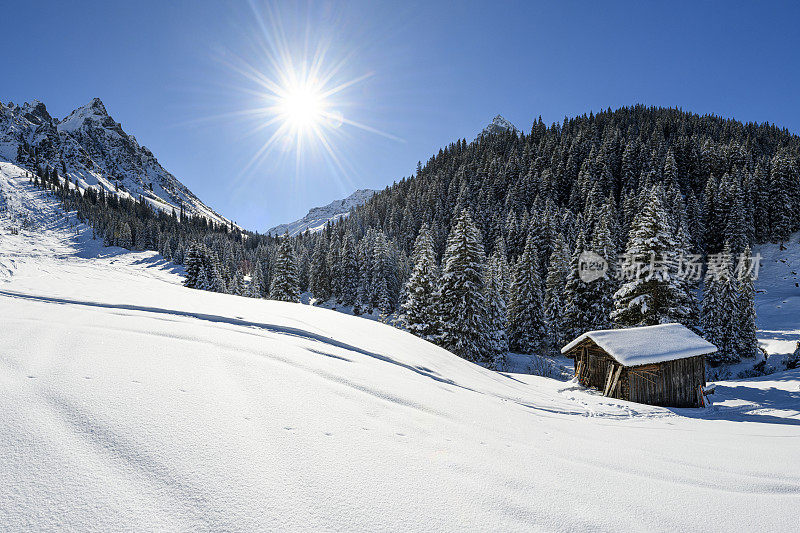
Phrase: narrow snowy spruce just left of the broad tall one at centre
x=420 y=308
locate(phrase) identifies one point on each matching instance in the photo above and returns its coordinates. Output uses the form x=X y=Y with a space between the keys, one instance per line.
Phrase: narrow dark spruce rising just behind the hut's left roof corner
x=557 y=270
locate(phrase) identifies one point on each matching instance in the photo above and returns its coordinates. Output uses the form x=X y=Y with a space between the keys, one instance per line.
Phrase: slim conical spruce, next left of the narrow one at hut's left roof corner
x=526 y=326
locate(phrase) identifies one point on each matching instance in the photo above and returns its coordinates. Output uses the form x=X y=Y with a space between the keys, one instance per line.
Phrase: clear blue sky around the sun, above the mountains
x=438 y=71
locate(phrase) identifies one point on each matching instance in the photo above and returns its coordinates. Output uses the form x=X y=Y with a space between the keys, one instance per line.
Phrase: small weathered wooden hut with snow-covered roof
x=658 y=365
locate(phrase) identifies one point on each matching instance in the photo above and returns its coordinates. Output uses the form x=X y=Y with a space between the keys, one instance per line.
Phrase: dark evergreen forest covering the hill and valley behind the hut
x=479 y=250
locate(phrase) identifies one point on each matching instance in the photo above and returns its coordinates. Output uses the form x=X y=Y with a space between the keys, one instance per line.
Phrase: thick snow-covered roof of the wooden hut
x=647 y=344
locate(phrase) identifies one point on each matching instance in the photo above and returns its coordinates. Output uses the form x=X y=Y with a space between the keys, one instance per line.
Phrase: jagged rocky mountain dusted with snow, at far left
x=93 y=150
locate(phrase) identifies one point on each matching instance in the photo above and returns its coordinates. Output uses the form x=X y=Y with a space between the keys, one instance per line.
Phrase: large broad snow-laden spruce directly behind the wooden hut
x=653 y=295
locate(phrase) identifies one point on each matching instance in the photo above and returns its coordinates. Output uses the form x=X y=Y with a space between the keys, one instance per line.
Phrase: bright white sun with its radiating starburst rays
x=302 y=94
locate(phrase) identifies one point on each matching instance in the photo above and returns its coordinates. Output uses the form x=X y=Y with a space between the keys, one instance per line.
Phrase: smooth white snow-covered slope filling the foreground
x=130 y=403
